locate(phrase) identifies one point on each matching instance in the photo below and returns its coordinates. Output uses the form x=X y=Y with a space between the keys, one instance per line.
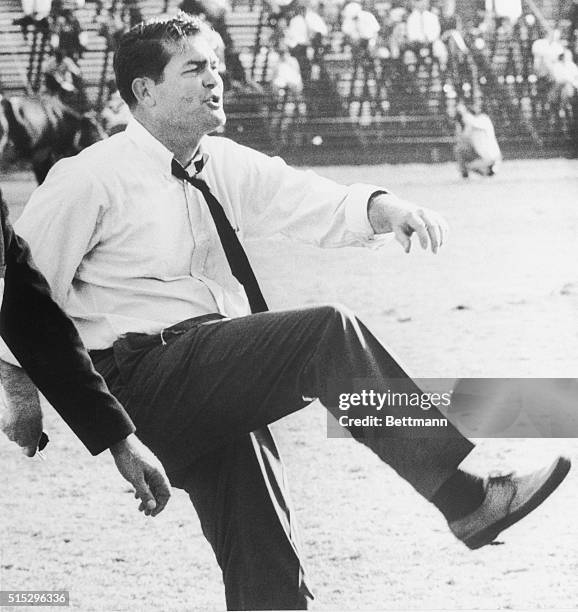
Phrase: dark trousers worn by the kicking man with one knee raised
x=197 y=391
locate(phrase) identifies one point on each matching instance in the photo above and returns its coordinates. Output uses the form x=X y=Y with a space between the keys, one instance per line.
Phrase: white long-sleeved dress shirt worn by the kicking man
x=127 y=247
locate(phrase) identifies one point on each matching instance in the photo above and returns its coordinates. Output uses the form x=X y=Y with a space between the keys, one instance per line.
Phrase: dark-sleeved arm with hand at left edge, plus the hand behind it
x=45 y=342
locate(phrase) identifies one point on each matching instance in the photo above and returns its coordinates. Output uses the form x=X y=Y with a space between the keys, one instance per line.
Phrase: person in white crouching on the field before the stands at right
x=476 y=148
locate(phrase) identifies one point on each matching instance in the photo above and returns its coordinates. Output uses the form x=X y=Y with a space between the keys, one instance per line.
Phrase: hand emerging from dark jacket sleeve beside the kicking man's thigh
x=144 y=471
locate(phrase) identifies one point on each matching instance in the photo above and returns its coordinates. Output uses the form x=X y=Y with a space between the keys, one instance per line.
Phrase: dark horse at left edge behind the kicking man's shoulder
x=44 y=130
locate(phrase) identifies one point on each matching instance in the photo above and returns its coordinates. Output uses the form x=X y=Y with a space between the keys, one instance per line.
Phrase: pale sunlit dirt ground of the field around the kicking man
x=501 y=300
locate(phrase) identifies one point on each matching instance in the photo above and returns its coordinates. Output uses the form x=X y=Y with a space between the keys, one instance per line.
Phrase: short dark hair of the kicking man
x=147 y=48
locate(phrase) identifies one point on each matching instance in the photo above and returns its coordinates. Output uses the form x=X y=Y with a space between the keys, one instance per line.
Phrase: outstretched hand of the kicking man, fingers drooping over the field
x=388 y=213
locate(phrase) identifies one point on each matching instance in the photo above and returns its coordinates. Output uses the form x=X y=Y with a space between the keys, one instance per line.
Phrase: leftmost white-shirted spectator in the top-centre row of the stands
x=304 y=37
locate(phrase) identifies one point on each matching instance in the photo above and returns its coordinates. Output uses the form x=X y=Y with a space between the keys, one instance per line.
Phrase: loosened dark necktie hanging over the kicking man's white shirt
x=236 y=256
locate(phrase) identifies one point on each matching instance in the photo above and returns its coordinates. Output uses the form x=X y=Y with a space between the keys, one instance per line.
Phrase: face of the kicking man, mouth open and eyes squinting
x=189 y=98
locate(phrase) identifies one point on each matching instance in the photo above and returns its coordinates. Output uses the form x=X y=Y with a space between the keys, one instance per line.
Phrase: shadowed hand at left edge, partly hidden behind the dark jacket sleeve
x=20 y=413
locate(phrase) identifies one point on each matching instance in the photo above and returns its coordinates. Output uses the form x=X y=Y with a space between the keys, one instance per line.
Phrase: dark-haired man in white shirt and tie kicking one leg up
x=136 y=236
